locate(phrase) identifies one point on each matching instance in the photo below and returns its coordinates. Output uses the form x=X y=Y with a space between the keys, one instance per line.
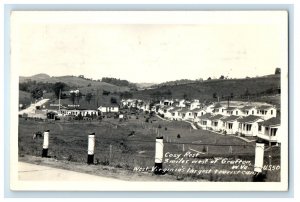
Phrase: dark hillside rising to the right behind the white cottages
x=238 y=88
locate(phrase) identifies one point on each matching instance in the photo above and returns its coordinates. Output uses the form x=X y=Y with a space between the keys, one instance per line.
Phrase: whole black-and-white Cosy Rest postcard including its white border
x=149 y=100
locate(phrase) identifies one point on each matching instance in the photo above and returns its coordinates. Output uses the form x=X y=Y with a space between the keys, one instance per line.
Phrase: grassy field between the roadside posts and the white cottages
x=117 y=146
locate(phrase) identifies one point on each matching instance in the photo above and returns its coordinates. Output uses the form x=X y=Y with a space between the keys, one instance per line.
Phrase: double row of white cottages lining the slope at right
x=261 y=121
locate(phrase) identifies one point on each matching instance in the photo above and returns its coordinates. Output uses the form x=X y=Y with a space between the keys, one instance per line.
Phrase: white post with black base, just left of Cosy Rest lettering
x=159 y=153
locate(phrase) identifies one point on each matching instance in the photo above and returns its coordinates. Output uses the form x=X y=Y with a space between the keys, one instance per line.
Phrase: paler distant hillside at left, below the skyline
x=86 y=85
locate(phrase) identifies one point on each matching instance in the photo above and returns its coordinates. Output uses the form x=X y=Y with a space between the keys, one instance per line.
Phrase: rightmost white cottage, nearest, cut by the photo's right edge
x=270 y=130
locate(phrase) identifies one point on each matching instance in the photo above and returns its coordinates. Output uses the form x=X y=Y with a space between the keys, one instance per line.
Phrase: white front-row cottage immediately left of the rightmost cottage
x=248 y=125
